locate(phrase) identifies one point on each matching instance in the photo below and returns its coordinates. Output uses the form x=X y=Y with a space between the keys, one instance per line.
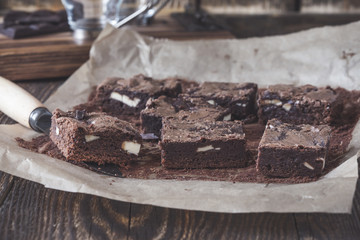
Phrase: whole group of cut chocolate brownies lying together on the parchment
x=201 y=125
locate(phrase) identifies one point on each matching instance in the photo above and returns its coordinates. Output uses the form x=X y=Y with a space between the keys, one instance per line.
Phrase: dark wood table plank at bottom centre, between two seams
x=148 y=222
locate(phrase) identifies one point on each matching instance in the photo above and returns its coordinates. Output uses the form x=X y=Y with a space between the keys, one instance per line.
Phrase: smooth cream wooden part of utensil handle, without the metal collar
x=17 y=103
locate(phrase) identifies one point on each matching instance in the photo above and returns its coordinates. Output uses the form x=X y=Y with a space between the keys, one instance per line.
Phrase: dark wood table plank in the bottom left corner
x=34 y=212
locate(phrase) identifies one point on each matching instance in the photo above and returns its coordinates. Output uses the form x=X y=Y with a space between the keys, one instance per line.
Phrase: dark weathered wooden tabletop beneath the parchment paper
x=28 y=210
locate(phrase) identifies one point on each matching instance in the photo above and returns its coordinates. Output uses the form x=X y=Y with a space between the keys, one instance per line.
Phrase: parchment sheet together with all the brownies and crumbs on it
x=166 y=133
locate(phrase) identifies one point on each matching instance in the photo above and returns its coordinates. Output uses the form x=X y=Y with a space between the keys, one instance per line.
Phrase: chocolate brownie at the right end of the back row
x=299 y=105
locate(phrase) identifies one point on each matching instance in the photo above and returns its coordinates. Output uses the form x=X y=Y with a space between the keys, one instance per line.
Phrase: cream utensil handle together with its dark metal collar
x=24 y=108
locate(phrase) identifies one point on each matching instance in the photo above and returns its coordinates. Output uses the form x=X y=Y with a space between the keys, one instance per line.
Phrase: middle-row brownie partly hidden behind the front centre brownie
x=156 y=109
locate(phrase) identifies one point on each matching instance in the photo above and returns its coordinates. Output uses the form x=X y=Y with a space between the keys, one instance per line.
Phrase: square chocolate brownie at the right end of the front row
x=288 y=150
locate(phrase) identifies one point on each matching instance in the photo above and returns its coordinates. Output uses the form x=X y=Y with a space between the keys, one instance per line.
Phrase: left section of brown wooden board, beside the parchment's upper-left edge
x=51 y=56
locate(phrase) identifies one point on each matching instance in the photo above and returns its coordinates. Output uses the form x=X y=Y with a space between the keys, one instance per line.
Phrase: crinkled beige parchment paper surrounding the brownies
x=323 y=56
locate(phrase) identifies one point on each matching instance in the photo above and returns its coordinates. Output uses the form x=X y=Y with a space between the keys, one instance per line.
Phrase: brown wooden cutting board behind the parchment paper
x=59 y=55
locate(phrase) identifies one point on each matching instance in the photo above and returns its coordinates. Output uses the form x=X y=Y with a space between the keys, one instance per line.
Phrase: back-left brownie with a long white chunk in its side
x=119 y=96
